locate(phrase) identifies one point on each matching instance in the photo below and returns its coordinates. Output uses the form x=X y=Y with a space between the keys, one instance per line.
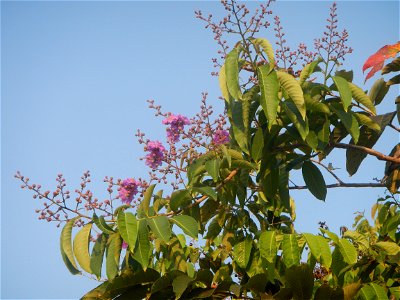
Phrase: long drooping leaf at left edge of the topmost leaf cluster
x=232 y=73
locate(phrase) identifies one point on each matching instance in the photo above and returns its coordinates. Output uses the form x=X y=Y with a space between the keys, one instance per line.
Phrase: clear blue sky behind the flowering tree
x=75 y=78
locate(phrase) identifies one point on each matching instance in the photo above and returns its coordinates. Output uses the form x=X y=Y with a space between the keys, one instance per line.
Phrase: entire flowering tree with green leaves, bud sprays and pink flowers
x=236 y=189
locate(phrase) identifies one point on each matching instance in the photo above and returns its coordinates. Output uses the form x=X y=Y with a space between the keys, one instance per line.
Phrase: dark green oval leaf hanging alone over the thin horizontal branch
x=314 y=180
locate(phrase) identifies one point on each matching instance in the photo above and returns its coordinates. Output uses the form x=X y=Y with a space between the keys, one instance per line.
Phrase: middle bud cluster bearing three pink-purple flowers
x=187 y=138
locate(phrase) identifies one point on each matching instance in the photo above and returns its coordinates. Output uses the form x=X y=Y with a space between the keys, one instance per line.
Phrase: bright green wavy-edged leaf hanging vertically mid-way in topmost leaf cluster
x=269 y=86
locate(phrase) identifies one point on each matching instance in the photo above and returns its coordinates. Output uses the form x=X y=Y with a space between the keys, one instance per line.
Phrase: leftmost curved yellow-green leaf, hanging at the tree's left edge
x=66 y=247
